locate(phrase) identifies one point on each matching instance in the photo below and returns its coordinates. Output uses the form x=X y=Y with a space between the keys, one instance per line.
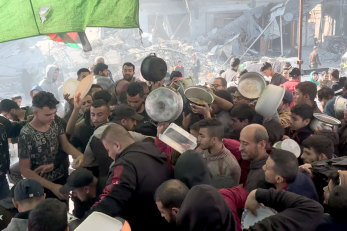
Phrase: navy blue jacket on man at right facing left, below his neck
x=303 y=185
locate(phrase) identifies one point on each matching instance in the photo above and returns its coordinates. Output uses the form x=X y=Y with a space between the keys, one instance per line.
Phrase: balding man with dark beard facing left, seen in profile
x=253 y=140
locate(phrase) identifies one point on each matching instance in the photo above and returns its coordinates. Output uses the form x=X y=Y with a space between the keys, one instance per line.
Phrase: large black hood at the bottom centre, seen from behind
x=205 y=209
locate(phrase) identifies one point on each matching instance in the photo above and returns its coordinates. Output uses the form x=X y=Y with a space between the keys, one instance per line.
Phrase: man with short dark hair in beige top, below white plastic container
x=219 y=160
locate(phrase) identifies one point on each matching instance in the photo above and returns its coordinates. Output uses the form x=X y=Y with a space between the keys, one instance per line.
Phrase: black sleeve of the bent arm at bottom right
x=293 y=211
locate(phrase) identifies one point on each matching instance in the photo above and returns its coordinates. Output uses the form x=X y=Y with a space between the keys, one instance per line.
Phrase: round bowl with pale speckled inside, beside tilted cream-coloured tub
x=251 y=85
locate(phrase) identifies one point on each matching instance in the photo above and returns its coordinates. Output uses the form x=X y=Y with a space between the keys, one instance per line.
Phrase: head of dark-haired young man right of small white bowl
x=317 y=147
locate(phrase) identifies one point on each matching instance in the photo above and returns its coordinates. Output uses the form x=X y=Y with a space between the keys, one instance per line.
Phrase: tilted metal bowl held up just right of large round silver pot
x=196 y=94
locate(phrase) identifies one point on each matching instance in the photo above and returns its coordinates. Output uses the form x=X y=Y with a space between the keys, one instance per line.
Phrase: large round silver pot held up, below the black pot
x=164 y=105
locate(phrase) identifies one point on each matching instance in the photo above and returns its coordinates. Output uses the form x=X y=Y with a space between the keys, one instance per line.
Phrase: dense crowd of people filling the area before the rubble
x=123 y=169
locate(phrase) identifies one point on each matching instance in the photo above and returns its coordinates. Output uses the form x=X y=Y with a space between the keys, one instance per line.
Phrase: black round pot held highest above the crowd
x=153 y=68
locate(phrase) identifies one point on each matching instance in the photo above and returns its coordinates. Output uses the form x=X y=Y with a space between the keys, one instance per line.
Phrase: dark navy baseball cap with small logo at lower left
x=28 y=188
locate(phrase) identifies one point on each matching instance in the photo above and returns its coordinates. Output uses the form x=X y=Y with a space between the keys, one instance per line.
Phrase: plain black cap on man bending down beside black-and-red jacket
x=79 y=178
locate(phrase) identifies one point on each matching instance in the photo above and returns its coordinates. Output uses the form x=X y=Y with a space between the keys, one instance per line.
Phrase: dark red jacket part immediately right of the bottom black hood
x=236 y=198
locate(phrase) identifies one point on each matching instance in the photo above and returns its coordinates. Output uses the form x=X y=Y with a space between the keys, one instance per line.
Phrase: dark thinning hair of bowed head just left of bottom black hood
x=171 y=194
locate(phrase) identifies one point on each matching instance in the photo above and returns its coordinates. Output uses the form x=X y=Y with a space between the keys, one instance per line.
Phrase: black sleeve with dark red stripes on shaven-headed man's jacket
x=118 y=192
